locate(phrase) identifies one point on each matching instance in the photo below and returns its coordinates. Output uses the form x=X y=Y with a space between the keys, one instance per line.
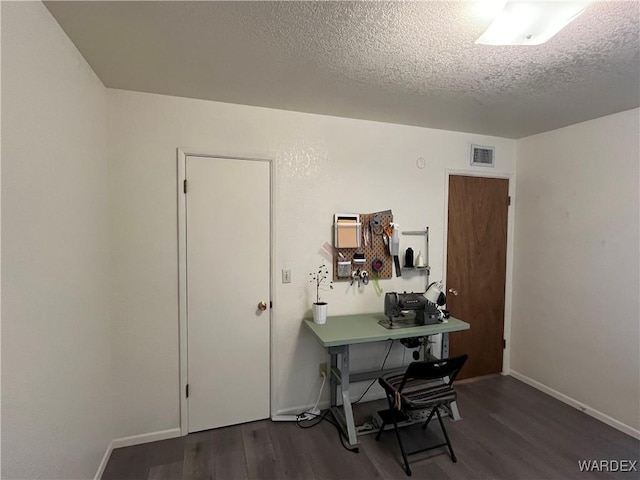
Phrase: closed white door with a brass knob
x=227 y=276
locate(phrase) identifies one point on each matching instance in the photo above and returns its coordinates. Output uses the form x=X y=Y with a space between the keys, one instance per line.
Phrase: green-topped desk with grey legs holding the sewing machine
x=340 y=332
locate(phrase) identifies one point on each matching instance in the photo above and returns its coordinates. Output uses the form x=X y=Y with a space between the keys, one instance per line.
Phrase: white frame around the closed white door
x=182 y=154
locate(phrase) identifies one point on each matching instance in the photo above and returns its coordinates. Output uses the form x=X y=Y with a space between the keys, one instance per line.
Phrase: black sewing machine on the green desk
x=409 y=310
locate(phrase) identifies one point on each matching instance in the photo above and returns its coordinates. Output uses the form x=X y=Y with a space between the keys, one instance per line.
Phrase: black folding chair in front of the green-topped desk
x=423 y=386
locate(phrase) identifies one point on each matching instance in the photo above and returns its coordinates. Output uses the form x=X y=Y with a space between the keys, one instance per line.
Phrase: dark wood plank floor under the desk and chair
x=508 y=431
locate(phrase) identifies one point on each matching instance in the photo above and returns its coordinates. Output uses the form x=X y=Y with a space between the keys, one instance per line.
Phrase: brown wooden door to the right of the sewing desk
x=476 y=269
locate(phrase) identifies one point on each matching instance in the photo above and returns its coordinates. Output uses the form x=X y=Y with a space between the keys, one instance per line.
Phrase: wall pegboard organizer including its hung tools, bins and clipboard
x=358 y=235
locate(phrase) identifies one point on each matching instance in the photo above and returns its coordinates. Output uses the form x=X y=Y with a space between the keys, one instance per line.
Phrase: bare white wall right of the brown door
x=575 y=318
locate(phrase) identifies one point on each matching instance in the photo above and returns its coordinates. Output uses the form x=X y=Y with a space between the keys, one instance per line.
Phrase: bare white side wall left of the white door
x=57 y=416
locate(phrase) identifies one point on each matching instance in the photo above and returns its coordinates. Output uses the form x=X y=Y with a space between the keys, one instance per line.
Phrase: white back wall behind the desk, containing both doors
x=323 y=165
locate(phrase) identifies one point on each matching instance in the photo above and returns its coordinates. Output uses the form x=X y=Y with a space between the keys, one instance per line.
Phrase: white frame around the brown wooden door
x=506 y=354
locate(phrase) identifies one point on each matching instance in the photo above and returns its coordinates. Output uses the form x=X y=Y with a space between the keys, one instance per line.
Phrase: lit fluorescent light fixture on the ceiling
x=531 y=22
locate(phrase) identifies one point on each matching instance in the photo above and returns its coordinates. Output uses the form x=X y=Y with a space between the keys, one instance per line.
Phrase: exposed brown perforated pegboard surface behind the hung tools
x=376 y=249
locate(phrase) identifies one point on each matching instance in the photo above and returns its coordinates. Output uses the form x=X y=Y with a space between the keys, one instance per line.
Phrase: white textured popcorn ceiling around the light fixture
x=413 y=63
